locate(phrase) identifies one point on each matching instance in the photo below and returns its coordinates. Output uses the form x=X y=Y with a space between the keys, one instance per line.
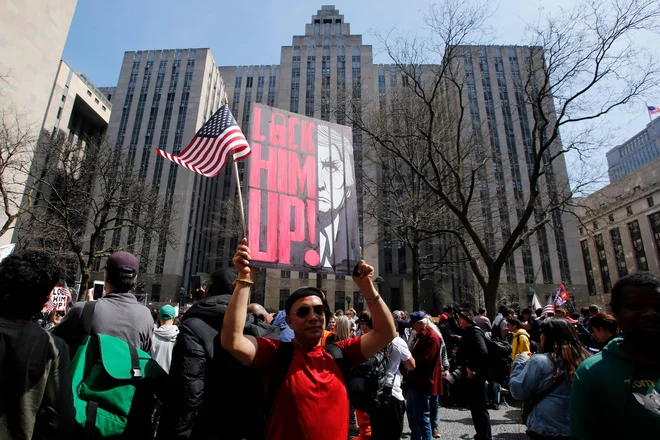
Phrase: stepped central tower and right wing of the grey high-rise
x=329 y=62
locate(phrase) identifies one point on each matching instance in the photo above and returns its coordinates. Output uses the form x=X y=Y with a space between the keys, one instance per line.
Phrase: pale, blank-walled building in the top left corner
x=32 y=37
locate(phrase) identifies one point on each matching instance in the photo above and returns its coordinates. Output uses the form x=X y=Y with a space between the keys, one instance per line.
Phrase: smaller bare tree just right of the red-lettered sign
x=396 y=198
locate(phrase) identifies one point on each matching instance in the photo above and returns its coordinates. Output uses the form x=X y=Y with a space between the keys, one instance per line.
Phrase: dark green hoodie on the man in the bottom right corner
x=615 y=396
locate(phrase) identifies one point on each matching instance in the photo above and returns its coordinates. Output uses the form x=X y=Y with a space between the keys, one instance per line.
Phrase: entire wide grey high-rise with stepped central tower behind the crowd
x=318 y=74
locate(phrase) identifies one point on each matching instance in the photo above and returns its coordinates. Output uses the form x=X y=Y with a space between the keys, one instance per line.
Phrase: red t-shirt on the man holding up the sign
x=312 y=401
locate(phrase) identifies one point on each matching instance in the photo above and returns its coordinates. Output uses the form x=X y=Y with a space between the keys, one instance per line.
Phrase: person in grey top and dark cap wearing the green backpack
x=118 y=313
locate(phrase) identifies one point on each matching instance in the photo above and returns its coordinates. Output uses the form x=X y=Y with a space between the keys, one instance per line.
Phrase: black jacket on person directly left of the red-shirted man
x=200 y=401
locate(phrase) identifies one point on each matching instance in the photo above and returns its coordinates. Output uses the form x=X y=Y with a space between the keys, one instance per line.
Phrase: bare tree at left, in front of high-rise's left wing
x=87 y=194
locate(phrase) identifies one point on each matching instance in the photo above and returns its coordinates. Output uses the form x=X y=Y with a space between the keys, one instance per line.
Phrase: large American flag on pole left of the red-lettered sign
x=207 y=152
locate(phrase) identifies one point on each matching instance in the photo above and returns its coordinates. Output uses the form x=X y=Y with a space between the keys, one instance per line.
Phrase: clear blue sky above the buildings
x=253 y=31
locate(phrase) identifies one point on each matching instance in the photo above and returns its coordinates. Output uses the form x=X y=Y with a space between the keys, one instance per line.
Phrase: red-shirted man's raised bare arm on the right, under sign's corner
x=384 y=330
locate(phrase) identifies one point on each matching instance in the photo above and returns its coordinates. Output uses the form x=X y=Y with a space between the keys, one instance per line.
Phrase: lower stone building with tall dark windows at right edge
x=619 y=230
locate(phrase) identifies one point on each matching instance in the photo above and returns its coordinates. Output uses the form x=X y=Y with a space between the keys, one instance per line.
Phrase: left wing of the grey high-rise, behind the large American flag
x=161 y=99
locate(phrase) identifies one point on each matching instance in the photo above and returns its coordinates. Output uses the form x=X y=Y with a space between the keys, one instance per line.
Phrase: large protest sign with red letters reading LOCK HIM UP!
x=302 y=200
